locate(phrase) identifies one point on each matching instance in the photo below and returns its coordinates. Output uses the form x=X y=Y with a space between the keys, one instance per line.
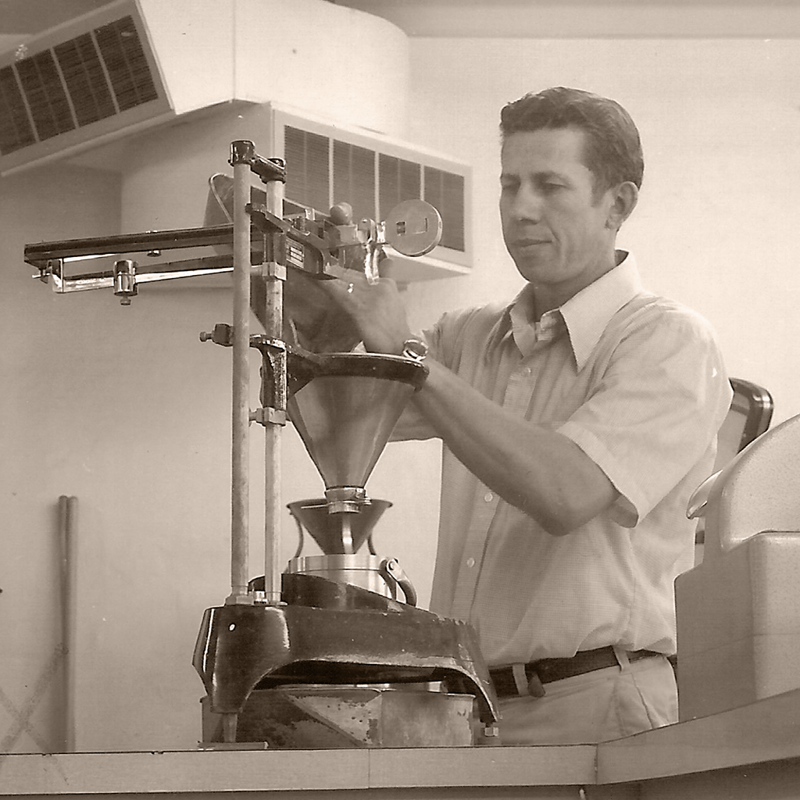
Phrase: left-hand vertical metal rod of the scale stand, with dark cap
x=240 y=487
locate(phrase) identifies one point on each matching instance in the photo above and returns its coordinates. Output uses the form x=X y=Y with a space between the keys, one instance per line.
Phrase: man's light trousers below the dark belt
x=594 y=707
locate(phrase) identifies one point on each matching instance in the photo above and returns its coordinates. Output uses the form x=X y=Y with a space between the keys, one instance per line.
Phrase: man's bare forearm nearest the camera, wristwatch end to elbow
x=535 y=469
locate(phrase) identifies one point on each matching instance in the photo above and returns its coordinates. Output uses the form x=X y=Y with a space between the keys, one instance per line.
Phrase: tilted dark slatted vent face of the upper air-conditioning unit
x=77 y=83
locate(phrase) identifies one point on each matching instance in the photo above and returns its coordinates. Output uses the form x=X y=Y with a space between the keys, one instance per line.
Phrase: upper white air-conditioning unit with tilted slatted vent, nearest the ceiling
x=133 y=64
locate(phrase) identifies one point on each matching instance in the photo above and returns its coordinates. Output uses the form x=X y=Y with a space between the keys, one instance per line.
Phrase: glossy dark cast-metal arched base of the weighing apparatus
x=337 y=635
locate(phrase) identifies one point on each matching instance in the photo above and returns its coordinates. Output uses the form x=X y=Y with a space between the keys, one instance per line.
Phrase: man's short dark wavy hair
x=613 y=150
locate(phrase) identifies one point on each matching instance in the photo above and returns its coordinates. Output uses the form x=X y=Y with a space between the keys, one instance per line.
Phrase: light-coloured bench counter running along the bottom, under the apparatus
x=748 y=752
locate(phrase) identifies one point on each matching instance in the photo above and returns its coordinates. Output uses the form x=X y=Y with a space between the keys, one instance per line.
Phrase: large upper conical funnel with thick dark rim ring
x=346 y=412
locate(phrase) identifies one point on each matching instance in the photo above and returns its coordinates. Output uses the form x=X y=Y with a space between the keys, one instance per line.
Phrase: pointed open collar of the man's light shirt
x=586 y=315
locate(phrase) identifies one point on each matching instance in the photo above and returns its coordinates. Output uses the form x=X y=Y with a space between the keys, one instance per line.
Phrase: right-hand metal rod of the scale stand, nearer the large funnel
x=273 y=316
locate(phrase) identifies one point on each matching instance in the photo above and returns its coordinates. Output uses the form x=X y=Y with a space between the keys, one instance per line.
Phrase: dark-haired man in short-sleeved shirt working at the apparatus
x=576 y=423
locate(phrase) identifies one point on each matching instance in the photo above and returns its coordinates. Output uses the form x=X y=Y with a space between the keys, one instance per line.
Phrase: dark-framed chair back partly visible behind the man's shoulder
x=749 y=416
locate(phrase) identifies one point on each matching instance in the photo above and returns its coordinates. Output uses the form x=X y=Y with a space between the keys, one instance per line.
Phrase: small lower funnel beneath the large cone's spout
x=338 y=533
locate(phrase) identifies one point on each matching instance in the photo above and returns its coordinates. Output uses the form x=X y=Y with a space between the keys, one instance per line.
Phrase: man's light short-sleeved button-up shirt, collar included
x=638 y=383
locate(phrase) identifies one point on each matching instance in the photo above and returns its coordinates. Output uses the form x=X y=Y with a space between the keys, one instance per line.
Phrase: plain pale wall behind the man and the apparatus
x=126 y=410
